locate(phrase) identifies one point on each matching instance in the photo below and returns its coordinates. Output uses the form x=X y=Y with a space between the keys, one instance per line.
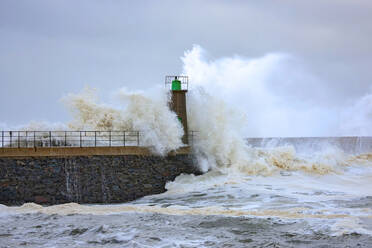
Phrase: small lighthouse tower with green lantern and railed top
x=178 y=86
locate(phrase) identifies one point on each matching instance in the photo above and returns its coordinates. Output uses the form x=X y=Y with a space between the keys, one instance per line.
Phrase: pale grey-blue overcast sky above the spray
x=50 y=48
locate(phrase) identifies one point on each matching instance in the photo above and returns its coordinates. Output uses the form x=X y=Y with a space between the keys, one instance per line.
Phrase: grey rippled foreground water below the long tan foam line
x=159 y=230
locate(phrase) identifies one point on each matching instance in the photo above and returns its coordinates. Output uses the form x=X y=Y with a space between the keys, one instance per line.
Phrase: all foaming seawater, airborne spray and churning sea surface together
x=307 y=193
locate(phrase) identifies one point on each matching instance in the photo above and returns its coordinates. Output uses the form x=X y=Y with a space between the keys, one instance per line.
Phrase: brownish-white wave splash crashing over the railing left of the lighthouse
x=159 y=127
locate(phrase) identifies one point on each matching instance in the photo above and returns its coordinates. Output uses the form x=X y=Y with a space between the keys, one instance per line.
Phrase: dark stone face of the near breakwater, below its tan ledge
x=88 y=179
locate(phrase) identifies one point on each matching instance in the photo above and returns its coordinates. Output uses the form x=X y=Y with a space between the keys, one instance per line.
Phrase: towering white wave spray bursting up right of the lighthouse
x=244 y=84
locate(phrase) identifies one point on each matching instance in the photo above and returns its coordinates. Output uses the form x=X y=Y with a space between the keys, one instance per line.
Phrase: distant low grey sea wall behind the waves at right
x=351 y=145
